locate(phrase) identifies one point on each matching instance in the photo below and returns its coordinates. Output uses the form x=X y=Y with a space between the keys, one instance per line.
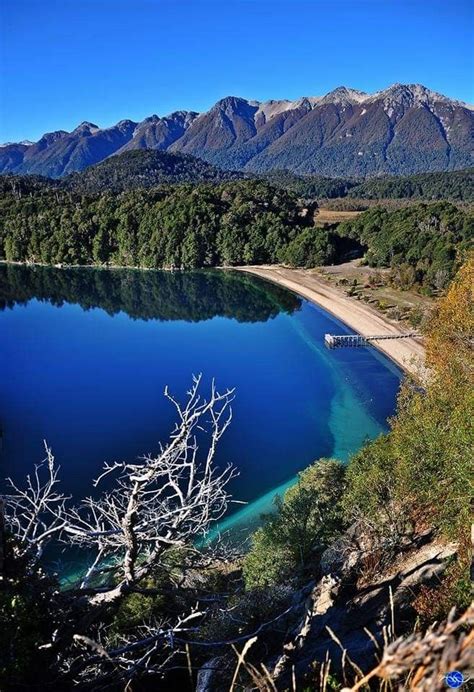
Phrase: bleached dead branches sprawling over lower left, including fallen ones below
x=152 y=506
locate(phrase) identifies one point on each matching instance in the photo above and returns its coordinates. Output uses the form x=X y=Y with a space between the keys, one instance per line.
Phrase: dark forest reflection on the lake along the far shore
x=191 y=296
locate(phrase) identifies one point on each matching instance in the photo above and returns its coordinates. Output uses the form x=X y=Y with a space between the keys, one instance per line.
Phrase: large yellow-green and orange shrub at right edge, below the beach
x=418 y=475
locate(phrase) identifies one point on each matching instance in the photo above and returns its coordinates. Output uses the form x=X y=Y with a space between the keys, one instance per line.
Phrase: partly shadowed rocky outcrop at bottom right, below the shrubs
x=347 y=622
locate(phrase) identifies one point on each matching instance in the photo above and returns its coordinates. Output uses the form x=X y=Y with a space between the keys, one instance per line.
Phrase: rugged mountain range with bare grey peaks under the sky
x=401 y=130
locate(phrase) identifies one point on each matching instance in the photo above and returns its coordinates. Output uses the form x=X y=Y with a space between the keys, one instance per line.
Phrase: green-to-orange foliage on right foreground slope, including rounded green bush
x=416 y=477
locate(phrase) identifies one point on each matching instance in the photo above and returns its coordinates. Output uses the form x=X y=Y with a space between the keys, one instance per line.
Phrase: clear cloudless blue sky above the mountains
x=64 y=61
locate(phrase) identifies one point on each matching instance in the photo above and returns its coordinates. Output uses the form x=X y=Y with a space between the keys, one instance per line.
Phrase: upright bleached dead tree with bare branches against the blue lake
x=161 y=502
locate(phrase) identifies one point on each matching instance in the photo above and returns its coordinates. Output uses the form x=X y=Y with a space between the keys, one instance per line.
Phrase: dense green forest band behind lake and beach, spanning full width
x=231 y=223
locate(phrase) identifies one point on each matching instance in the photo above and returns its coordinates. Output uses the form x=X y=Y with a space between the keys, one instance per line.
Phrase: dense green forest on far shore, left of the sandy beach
x=181 y=226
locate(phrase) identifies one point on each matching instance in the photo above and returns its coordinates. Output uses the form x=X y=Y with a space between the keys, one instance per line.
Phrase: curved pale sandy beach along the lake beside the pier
x=408 y=353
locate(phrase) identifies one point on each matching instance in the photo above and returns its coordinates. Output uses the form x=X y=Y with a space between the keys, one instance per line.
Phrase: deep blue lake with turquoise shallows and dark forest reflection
x=85 y=355
